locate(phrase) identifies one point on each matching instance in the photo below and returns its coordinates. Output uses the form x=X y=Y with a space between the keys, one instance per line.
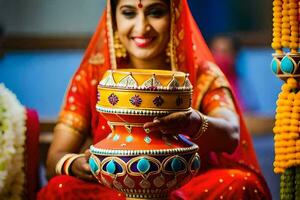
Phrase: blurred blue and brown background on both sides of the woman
x=42 y=43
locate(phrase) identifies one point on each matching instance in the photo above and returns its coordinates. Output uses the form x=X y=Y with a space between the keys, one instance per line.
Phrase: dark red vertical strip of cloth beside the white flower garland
x=31 y=154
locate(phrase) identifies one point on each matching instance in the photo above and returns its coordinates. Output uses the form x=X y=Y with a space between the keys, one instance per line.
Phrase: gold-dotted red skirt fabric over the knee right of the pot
x=222 y=184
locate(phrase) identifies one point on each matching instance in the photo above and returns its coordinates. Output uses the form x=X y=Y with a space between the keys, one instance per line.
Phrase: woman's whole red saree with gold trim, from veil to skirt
x=222 y=176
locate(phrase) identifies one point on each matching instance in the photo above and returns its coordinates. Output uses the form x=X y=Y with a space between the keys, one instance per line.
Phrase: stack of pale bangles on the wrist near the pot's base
x=63 y=165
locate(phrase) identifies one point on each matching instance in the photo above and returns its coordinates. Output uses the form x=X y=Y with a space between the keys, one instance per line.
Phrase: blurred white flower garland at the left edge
x=12 y=139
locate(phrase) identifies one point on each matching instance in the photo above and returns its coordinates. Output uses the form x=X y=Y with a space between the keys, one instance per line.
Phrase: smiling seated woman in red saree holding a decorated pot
x=155 y=34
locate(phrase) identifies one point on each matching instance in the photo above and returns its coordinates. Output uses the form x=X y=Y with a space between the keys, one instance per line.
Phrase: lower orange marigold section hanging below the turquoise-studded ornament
x=287 y=127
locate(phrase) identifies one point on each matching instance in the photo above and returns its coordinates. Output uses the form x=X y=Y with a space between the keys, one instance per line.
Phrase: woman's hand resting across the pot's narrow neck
x=186 y=123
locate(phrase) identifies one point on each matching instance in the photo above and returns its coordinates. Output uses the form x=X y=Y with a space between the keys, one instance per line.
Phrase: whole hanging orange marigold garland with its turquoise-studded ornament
x=286 y=43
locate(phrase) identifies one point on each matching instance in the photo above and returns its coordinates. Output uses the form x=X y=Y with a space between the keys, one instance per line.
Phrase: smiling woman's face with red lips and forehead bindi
x=143 y=31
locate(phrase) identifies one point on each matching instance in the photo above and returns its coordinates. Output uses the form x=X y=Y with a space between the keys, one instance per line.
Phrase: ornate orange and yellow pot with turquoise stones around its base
x=143 y=165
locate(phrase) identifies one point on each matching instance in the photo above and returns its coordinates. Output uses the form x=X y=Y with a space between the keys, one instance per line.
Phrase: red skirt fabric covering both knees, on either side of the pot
x=211 y=185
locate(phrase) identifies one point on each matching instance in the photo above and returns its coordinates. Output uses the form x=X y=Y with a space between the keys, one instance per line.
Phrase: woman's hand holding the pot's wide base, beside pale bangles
x=80 y=168
